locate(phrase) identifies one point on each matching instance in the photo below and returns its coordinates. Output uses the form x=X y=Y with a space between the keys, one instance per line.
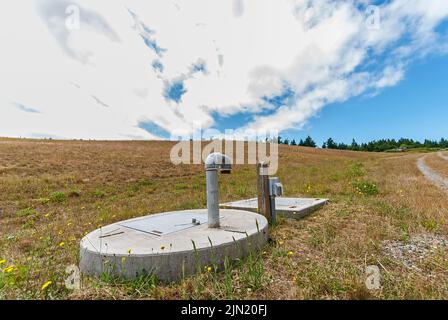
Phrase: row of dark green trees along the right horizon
x=372 y=146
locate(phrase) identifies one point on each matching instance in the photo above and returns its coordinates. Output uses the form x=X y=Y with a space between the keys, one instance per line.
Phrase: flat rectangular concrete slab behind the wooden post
x=293 y=208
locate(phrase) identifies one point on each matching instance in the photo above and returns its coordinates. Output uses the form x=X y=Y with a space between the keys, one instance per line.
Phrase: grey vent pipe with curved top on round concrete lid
x=215 y=162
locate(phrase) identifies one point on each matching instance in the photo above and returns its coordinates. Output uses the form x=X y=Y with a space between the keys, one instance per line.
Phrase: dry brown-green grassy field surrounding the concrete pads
x=52 y=193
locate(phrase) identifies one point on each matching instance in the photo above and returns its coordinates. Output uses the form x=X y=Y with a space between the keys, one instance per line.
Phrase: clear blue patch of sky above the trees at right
x=415 y=108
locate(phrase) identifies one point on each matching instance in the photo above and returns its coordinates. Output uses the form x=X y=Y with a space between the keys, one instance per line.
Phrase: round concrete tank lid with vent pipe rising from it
x=171 y=245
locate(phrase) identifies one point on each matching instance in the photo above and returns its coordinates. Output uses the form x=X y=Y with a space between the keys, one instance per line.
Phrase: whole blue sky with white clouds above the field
x=155 y=69
